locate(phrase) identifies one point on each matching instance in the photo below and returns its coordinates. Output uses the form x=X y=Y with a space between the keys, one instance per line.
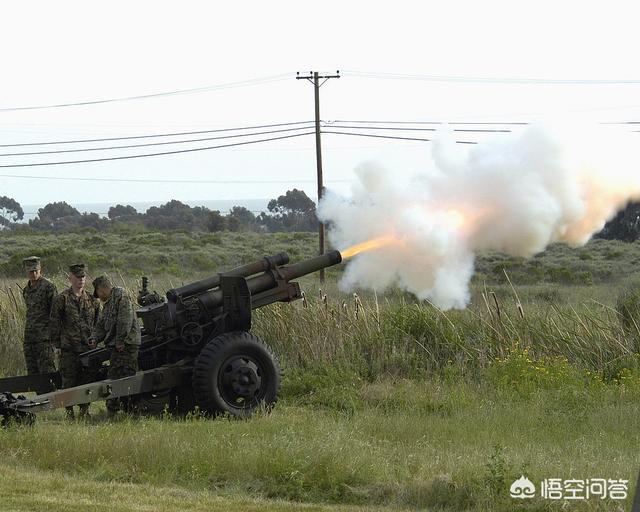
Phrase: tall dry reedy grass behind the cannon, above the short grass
x=396 y=335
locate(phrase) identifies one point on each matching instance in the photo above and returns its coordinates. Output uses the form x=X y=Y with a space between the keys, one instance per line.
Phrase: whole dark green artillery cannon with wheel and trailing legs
x=196 y=351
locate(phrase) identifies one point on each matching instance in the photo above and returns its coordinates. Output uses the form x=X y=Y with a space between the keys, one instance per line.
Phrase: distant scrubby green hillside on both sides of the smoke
x=184 y=253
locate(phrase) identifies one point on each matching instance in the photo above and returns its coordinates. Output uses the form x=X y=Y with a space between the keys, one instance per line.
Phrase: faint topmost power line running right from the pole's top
x=489 y=80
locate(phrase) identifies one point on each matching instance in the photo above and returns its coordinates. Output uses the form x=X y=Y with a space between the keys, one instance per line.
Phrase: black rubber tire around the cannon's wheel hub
x=209 y=364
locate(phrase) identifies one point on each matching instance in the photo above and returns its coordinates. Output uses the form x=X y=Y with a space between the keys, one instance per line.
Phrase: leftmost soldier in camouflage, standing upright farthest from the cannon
x=38 y=296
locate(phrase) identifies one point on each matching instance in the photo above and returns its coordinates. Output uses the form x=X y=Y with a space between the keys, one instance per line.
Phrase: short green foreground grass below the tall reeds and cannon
x=406 y=445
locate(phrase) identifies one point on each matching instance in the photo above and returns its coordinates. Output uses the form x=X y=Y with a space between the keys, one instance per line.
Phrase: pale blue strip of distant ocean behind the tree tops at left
x=224 y=205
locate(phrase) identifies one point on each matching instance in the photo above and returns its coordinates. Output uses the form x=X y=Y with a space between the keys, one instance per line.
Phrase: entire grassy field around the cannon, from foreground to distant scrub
x=387 y=403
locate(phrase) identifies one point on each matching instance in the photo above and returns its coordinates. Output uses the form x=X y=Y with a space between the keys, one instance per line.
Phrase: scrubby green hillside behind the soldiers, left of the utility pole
x=178 y=254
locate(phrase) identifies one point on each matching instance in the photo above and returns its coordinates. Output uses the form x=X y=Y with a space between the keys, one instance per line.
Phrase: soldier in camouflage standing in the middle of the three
x=73 y=316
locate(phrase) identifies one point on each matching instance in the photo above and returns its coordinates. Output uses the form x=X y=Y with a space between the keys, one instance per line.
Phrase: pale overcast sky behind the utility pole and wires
x=67 y=52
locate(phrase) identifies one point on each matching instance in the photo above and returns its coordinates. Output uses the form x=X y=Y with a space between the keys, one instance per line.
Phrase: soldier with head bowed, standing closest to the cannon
x=118 y=328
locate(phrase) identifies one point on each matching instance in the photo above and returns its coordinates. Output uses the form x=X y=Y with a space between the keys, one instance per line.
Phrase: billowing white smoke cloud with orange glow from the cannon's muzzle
x=514 y=193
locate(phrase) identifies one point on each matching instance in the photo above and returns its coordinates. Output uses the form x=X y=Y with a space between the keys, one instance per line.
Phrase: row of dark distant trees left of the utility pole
x=293 y=211
